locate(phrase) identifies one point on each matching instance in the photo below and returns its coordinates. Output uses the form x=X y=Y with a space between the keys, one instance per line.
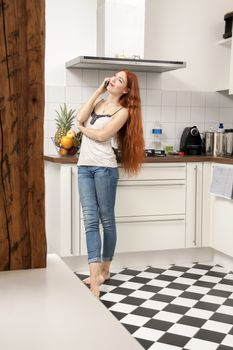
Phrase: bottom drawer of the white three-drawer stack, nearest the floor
x=146 y=234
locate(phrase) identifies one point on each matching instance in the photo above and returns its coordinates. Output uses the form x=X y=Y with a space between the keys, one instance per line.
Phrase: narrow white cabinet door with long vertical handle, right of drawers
x=194 y=205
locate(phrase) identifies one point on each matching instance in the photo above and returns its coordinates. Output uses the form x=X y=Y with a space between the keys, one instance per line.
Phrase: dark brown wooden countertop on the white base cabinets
x=167 y=159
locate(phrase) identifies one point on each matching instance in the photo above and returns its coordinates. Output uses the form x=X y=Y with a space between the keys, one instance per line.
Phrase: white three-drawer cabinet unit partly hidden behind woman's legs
x=150 y=209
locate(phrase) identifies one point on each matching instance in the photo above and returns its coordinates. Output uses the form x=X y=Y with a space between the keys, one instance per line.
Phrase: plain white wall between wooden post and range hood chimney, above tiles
x=70 y=32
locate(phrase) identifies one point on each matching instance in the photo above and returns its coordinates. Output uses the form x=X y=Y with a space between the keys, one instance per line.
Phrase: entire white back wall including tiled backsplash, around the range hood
x=186 y=97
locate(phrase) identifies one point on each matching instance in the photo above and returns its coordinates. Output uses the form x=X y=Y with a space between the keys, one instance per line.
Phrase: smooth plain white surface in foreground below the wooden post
x=51 y=309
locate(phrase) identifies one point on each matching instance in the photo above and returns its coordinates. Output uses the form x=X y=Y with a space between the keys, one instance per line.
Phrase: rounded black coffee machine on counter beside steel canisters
x=191 y=142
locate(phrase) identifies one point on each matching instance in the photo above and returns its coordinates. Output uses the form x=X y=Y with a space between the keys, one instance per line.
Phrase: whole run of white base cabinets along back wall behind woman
x=166 y=206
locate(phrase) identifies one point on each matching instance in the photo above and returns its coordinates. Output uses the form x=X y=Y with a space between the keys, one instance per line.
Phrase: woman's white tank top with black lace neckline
x=96 y=153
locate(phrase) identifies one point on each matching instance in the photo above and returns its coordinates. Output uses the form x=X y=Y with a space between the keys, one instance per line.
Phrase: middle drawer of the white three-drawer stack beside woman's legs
x=150 y=199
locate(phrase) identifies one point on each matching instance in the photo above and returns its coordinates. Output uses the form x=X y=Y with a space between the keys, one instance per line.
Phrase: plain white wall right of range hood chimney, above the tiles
x=187 y=30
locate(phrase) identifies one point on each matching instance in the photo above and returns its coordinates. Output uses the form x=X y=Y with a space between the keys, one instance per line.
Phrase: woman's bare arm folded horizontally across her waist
x=109 y=130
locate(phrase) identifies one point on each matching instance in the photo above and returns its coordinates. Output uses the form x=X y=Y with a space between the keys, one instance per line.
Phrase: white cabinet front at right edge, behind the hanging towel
x=221 y=222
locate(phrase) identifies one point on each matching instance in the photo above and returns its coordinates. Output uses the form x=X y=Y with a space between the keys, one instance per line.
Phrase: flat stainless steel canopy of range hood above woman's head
x=112 y=63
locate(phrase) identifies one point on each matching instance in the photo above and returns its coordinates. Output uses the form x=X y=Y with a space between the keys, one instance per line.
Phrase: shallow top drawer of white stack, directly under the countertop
x=160 y=171
